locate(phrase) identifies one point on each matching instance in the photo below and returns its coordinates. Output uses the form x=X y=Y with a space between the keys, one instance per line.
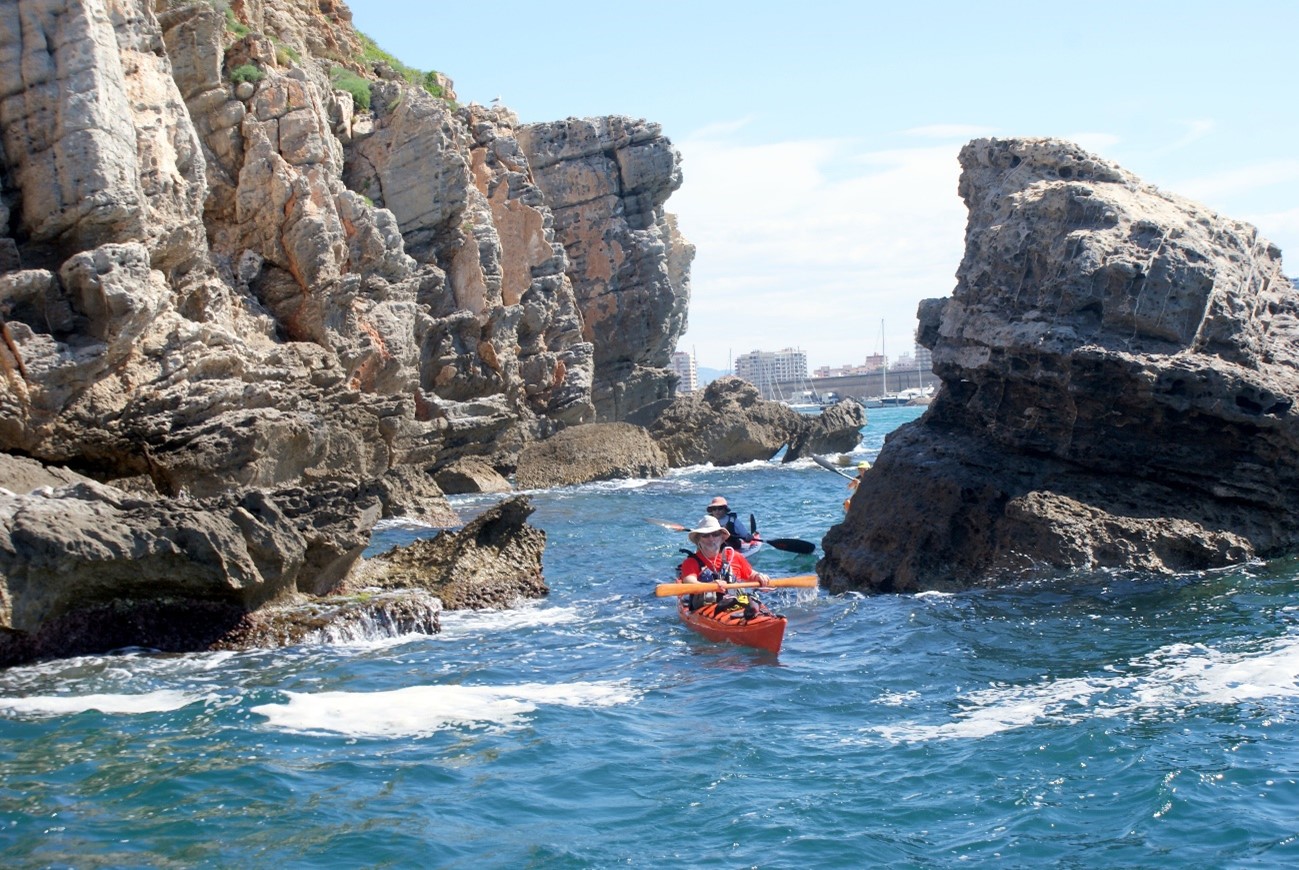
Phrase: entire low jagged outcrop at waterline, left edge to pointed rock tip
x=88 y=568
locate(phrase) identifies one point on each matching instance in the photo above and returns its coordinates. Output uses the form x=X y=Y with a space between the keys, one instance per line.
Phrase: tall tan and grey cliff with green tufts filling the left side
x=241 y=251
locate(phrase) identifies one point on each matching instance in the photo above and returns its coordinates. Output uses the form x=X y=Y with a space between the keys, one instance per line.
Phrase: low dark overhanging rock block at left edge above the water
x=88 y=568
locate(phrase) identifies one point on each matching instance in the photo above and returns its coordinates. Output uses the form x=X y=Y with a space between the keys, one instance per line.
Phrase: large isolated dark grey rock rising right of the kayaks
x=1120 y=369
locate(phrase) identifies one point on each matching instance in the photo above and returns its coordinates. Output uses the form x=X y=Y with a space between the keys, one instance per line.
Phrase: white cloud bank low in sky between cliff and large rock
x=814 y=243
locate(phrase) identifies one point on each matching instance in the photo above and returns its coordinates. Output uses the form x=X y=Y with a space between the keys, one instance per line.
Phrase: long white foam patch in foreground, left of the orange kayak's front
x=420 y=711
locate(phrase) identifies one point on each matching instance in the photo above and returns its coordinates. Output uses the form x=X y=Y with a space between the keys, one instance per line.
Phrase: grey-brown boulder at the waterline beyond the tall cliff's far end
x=727 y=423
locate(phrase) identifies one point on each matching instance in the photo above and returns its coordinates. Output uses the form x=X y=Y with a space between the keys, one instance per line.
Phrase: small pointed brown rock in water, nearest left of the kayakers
x=493 y=563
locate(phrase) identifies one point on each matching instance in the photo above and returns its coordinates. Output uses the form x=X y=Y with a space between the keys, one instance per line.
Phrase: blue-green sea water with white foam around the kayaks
x=1105 y=723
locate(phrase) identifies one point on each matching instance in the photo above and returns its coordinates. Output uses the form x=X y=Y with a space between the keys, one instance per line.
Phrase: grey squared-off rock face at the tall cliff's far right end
x=606 y=181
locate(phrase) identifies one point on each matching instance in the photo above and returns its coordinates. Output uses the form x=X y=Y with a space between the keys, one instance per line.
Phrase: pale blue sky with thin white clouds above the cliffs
x=820 y=140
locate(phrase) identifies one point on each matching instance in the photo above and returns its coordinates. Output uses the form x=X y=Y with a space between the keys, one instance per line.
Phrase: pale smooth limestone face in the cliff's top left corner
x=90 y=134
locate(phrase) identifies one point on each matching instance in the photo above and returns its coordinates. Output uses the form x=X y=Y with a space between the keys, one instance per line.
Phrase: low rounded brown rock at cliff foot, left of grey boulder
x=592 y=453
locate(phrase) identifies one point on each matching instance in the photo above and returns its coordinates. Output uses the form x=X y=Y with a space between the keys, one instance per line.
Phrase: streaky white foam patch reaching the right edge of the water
x=1171 y=681
